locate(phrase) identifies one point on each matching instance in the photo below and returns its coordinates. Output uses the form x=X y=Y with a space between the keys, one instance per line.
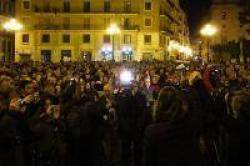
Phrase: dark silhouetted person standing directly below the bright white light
x=131 y=110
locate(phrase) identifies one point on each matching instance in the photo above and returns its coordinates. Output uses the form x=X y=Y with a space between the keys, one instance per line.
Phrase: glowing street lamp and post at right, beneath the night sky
x=208 y=31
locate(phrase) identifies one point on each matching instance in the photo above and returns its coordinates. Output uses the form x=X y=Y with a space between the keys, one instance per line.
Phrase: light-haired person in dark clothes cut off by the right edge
x=237 y=126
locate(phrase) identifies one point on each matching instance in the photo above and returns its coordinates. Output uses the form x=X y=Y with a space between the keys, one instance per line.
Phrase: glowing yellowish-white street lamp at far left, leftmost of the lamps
x=12 y=26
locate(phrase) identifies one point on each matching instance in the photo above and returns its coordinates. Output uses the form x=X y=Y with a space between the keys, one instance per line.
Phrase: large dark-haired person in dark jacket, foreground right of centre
x=173 y=140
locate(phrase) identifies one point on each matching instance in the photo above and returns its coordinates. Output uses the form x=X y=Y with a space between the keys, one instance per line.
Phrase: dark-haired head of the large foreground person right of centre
x=172 y=106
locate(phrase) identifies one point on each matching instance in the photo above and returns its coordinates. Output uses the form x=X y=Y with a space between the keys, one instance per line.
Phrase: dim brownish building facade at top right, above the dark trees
x=232 y=18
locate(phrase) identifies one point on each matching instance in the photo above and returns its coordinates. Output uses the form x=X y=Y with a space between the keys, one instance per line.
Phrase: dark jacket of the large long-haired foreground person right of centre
x=173 y=144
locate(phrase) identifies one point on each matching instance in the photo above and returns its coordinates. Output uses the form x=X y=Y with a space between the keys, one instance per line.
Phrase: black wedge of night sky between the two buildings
x=197 y=11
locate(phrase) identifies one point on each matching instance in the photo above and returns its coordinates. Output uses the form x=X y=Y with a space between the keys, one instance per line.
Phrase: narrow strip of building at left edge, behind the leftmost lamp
x=6 y=38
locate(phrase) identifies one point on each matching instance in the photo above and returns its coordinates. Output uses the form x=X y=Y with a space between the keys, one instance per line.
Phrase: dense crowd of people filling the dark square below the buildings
x=83 y=113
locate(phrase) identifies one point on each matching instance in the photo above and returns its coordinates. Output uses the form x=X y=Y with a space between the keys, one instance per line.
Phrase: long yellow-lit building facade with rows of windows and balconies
x=56 y=30
